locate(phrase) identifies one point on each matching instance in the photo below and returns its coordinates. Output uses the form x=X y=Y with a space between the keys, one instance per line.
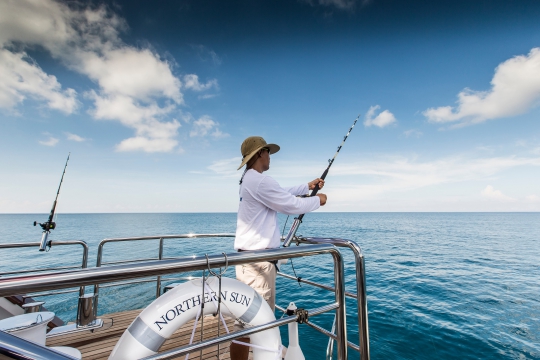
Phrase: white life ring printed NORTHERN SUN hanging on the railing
x=169 y=312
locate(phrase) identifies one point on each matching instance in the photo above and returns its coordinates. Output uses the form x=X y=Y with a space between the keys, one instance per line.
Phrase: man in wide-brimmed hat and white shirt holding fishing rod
x=261 y=198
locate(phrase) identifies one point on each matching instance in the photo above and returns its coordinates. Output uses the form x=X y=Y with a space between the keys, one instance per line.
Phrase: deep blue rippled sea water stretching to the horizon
x=440 y=285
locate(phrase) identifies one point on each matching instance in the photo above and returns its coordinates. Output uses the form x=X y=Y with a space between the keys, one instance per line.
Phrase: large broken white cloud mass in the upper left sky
x=136 y=86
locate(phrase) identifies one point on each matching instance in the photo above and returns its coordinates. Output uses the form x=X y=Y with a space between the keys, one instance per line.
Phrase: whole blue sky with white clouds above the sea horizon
x=153 y=100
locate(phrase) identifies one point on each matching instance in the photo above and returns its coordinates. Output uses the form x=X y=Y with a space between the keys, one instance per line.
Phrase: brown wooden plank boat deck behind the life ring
x=99 y=344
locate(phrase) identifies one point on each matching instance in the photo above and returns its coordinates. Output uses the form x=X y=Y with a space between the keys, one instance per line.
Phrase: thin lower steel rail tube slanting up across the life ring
x=237 y=334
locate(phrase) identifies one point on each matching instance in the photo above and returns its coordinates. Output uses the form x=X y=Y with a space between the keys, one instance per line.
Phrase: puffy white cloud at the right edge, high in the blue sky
x=515 y=88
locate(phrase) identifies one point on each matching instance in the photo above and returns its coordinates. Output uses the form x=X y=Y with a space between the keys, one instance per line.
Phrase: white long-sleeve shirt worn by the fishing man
x=261 y=198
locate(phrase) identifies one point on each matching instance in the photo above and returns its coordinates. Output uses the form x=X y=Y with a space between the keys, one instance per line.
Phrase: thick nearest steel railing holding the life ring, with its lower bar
x=99 y=275
